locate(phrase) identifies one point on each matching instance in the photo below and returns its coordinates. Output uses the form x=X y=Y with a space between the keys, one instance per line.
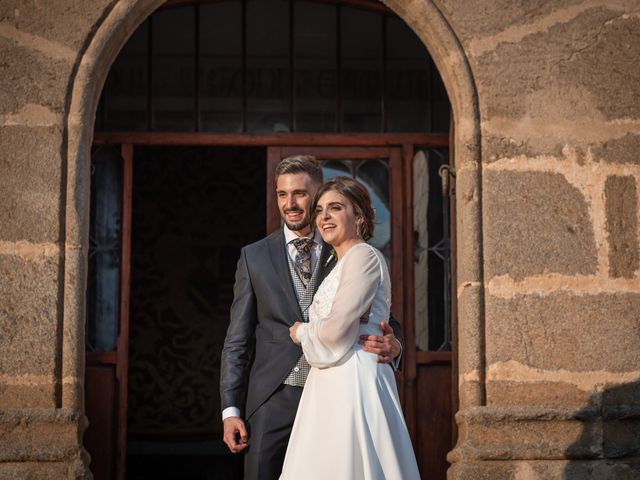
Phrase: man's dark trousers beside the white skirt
x=269 y=429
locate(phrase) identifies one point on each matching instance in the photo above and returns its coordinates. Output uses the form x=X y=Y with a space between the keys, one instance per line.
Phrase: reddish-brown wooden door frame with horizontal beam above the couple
x=399 y=148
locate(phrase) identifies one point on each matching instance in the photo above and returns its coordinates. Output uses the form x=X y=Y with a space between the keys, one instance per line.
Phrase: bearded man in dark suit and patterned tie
x=262 y=369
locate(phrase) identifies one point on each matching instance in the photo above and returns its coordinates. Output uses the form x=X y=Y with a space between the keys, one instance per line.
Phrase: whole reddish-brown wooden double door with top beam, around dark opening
x=385 y=163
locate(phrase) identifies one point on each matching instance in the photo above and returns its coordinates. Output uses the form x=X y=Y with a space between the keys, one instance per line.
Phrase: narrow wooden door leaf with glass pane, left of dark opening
x=108 y=311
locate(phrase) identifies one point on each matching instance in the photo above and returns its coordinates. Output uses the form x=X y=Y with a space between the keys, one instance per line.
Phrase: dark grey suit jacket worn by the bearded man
x=258 y=353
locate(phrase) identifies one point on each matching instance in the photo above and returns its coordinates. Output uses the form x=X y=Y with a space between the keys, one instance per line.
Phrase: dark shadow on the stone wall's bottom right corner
x=609 y=446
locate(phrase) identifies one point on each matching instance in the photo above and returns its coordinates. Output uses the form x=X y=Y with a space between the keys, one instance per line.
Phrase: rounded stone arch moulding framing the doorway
x=431 y=26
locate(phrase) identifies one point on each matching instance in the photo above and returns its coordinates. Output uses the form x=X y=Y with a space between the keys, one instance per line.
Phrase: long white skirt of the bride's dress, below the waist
x=350 y=426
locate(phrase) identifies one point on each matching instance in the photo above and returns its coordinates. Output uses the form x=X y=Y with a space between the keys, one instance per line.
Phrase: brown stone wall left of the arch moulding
x=40 y=48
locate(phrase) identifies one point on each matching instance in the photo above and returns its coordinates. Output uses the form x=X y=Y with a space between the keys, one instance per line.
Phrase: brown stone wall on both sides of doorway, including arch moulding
x=546 y=100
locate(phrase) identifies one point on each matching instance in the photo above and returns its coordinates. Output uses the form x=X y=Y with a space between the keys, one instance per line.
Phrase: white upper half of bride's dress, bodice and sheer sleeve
x=352 y=300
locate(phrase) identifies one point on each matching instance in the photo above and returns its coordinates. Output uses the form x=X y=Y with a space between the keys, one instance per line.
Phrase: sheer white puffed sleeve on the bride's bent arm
x=327 y=340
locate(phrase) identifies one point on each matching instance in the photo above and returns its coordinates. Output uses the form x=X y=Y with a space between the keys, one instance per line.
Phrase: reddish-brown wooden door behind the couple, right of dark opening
x=425 y=379
